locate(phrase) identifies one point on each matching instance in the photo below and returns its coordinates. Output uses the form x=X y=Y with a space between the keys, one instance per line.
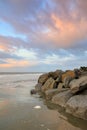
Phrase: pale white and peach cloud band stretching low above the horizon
x=34 y=61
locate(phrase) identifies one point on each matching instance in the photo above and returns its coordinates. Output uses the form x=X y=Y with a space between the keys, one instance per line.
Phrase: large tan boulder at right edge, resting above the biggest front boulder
x=78 y=84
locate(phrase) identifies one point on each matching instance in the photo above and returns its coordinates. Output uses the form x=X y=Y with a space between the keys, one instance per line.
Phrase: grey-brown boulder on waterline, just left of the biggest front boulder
x=61 y=98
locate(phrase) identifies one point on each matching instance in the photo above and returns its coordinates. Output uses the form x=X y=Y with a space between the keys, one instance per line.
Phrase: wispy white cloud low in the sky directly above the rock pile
x=68 y=61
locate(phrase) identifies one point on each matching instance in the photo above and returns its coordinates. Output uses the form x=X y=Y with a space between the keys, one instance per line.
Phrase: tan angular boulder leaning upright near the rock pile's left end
x=49 y=84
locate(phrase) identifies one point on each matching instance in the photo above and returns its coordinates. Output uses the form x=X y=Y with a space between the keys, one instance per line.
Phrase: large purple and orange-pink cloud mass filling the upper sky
x=58 y=23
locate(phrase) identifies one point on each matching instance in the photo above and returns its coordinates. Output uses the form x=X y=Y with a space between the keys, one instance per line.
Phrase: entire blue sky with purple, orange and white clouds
x=42 y=35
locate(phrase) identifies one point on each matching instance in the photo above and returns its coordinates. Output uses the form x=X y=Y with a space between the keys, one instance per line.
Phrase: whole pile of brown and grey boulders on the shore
x=67 y=89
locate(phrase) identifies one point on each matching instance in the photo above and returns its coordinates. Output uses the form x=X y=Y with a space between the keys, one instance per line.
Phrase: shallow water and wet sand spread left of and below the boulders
x=19 y=111
